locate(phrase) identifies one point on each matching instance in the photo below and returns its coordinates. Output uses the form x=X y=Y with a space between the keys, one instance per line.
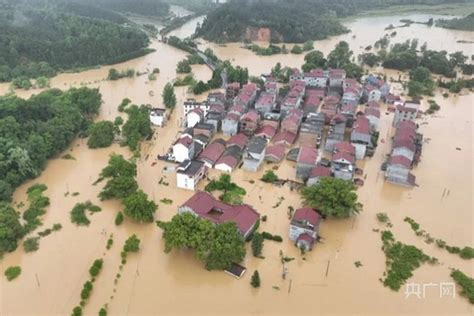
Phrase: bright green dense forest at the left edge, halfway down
x=33 y=130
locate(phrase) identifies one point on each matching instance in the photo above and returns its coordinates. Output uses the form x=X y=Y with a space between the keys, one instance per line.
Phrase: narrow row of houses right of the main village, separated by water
x=406 y=145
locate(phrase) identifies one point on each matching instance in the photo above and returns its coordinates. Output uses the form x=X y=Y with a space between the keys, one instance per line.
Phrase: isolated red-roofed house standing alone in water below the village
x=304 y=228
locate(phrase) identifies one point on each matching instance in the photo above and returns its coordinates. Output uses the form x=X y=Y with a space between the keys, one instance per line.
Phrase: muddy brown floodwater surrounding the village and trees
x=326 y=283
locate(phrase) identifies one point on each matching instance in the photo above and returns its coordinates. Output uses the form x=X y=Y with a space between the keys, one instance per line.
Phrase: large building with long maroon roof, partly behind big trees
x=205 y=206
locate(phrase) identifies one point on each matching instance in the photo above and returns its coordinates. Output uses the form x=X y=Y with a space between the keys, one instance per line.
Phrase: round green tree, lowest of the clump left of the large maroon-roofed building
x=139 y=208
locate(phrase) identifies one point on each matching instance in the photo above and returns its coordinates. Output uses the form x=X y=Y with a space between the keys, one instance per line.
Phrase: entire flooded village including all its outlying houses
x=324 y=124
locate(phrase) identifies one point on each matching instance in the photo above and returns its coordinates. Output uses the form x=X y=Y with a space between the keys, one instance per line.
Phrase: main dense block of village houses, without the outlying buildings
x=262 y=126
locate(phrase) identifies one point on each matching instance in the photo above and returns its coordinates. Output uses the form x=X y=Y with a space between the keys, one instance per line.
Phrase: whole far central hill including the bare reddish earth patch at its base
x=287 y=21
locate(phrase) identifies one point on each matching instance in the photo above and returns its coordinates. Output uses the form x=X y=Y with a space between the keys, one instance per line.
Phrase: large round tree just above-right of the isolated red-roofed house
x=332 y=197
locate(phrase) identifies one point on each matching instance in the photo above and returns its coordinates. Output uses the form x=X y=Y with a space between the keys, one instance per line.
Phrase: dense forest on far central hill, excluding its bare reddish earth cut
x=289 y=20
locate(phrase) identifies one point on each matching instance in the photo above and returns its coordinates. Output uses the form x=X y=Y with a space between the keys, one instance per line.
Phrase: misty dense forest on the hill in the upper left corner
x=37 y=42
